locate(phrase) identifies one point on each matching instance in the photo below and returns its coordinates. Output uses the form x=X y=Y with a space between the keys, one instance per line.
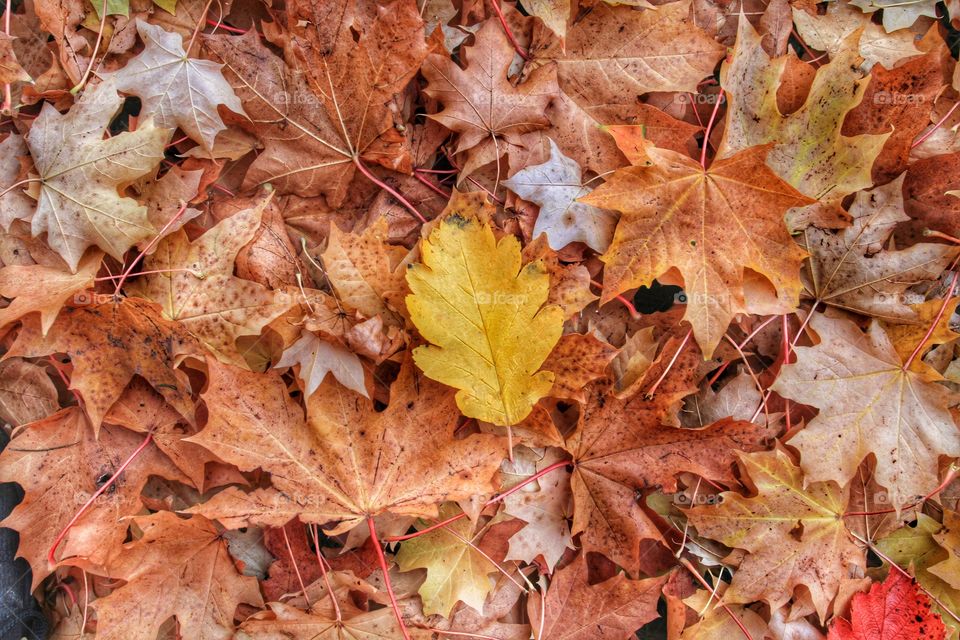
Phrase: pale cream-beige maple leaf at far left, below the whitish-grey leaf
x=79 y=204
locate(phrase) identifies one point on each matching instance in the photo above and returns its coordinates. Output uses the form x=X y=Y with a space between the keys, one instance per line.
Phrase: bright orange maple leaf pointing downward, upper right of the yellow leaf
x=709 y=224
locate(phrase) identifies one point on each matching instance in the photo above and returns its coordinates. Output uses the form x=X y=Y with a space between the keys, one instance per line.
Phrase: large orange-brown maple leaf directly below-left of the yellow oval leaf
x=345 y=462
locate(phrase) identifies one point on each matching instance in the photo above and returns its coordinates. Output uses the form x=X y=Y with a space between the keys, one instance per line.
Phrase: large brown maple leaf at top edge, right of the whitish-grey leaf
x=325 y=108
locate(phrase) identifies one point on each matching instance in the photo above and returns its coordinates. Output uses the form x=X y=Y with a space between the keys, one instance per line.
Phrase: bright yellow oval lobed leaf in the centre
x=483 y=313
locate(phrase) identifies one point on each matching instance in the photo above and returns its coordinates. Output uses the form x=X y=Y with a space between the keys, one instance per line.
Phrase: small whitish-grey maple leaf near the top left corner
x=178 y=91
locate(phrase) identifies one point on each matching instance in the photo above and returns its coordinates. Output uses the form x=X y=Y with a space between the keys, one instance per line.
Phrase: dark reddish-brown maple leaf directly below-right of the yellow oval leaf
x=622 y=445
